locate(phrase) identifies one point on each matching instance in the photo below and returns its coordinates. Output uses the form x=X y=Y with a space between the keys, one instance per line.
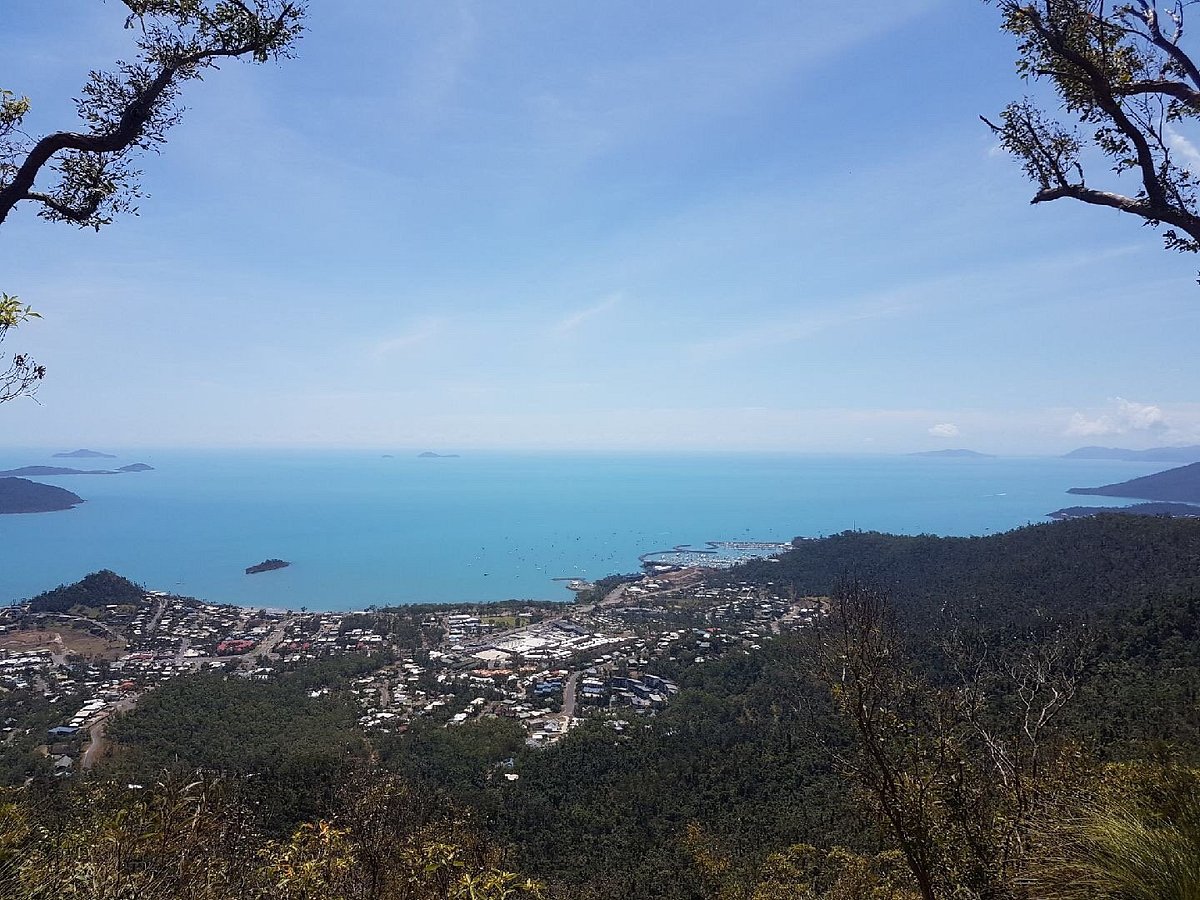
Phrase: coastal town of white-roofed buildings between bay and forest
x=547 y=667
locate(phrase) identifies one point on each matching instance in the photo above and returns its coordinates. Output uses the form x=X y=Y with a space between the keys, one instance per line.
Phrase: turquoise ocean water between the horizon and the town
x=363 y=530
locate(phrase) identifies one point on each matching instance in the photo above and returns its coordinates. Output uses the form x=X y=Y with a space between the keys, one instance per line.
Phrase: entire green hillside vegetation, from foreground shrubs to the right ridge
x=973 y=718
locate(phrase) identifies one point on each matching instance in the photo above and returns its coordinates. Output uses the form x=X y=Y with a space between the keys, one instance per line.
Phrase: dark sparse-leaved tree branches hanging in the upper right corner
x=1127 y=88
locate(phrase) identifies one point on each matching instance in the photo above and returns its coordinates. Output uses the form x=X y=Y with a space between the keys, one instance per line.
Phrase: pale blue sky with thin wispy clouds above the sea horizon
x=535 y=225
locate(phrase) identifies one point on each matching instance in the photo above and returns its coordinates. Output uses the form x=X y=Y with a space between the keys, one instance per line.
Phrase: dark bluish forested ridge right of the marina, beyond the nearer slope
x=1058 y=572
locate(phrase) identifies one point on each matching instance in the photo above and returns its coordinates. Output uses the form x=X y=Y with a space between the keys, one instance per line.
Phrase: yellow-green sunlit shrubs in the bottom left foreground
x=196 y=839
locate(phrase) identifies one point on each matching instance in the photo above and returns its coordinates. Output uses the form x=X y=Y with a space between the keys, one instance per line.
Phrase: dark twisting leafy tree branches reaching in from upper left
x=88 y=177
